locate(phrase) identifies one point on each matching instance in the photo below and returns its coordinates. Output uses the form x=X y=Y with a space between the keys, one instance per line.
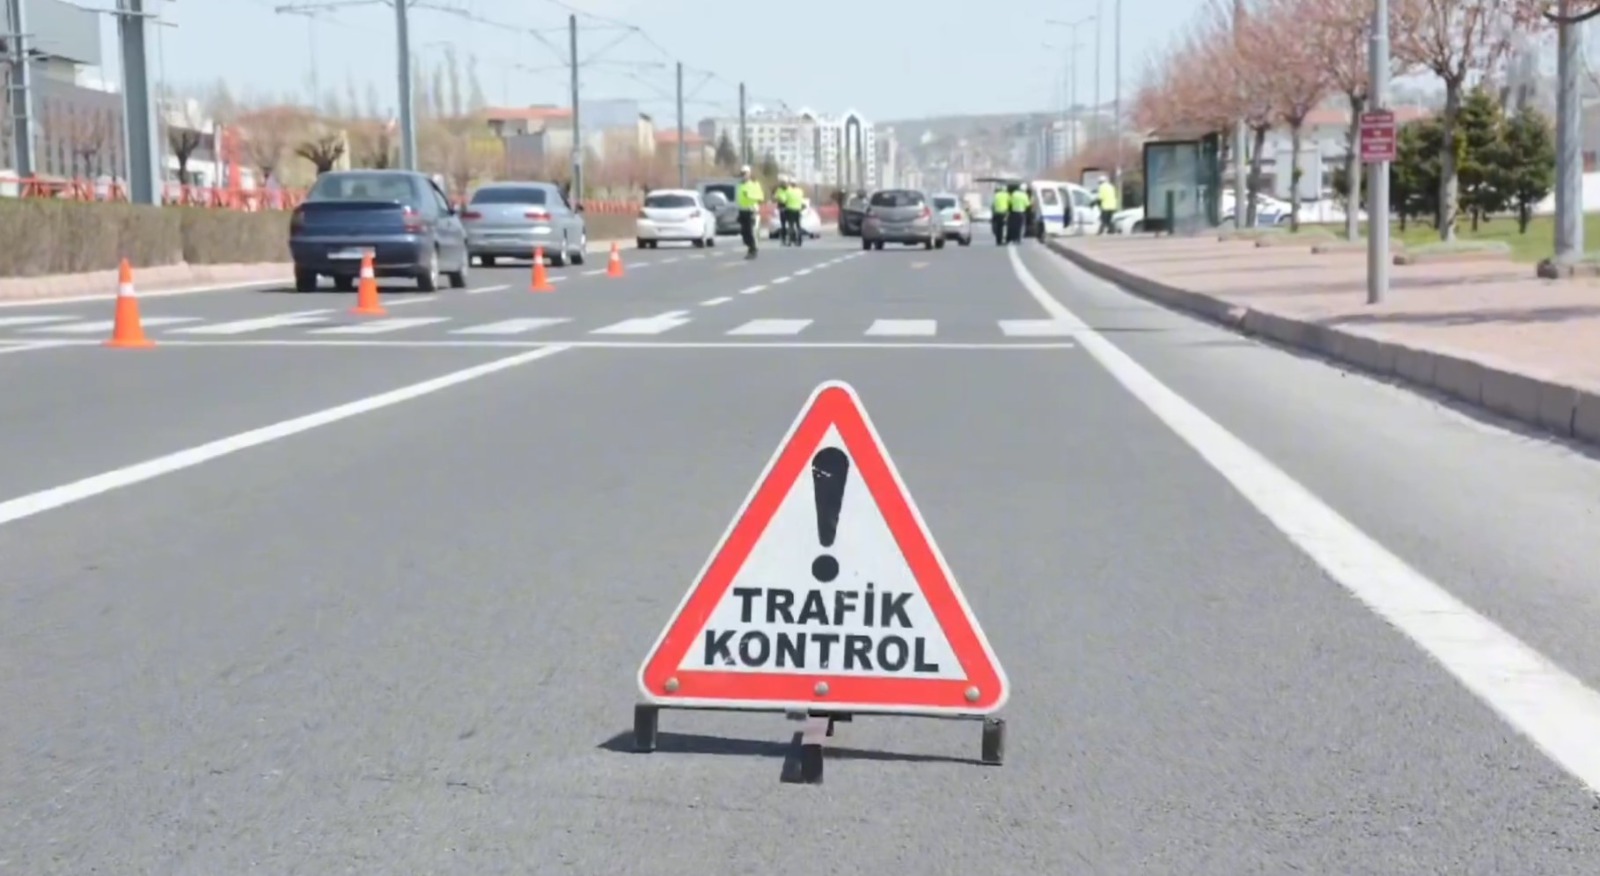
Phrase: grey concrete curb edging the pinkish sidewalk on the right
x=1537 y=402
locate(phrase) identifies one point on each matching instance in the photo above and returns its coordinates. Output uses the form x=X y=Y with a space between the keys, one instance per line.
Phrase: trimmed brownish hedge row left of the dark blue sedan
x=44 y=236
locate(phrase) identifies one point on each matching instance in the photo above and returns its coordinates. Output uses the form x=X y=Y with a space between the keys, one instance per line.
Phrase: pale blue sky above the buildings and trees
x=884 y=60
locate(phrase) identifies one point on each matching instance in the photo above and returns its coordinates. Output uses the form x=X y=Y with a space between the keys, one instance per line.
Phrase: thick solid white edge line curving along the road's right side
x=1527 y=690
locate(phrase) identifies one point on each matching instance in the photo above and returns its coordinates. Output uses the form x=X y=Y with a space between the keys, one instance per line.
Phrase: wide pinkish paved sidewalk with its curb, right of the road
x=1486 y=333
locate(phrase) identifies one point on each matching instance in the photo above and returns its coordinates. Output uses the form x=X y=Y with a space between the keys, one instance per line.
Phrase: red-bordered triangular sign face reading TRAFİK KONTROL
x=828 y=592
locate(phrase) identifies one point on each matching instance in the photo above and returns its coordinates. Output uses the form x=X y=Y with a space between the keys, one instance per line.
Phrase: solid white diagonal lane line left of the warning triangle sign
x=44 y=501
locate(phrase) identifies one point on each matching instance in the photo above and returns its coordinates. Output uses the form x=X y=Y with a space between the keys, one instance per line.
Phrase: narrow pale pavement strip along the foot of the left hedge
x=166 y=279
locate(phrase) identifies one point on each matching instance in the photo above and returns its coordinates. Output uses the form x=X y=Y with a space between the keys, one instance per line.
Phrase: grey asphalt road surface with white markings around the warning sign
x=286 y=597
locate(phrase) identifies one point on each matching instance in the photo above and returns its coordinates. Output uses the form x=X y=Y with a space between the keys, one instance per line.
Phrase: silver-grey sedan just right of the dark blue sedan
x=511 y=220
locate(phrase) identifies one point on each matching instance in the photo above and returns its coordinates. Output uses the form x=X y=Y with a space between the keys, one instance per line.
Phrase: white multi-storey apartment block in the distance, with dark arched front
x=807 y=145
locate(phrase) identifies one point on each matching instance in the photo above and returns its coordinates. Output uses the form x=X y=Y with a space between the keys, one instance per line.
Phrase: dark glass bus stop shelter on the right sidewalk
x=1183 y=181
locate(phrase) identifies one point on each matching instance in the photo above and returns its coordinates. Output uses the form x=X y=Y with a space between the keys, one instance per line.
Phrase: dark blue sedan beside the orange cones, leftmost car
x=402 y=218
